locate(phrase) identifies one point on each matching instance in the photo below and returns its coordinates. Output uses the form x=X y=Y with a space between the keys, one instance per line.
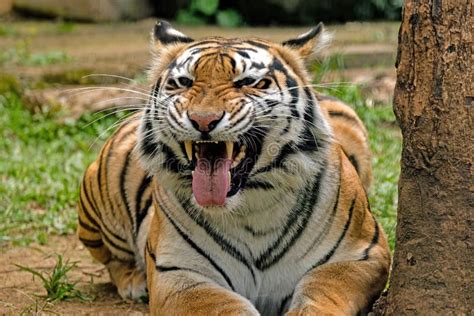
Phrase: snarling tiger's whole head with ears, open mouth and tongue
x=230 y=120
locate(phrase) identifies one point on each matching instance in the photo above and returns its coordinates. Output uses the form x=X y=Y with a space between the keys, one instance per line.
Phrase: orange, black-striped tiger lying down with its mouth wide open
x=237 y=189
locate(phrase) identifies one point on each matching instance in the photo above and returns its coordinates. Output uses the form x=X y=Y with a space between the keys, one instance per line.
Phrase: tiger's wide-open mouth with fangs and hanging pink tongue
x=220 y=170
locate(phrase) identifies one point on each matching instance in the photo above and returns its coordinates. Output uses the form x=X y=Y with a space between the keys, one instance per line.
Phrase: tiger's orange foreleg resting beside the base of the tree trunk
x=340 y=288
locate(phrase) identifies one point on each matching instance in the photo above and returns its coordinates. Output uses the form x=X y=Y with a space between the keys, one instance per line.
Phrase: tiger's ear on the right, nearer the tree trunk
x=309 y=44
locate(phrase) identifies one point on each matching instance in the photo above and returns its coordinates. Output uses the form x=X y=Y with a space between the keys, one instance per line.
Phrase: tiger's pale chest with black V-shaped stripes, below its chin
x=263 y=266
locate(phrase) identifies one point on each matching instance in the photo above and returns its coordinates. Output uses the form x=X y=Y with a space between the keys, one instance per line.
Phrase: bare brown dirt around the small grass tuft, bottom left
x=20 y=292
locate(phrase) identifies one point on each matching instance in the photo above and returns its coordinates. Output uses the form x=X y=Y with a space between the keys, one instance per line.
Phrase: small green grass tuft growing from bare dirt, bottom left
x=56 y=283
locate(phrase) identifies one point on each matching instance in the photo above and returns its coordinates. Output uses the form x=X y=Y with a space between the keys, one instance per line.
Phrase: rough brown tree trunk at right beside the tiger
x=434 y=261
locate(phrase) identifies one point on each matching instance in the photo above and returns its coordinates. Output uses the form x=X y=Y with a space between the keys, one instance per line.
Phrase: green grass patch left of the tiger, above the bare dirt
x=41 y=164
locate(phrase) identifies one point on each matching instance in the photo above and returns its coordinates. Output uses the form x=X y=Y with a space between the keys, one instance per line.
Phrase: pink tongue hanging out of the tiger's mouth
x=211 y=181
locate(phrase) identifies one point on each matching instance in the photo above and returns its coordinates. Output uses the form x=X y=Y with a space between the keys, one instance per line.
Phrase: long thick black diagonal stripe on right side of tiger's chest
x=297 y=221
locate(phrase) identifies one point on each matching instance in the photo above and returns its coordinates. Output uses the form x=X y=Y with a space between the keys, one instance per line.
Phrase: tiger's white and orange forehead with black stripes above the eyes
x=247 y=58
